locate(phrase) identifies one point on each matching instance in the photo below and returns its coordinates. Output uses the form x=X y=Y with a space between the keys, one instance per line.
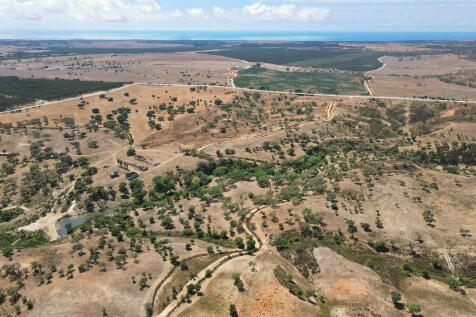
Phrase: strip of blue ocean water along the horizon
x=232 y=35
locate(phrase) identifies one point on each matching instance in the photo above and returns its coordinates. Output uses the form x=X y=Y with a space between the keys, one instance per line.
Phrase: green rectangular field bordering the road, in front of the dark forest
x=308 y=82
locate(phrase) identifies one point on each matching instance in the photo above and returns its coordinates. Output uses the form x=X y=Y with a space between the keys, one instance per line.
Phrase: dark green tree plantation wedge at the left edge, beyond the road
x=15 y=91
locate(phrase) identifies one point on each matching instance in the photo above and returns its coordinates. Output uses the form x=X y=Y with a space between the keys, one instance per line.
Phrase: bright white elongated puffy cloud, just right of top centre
x=261 y=11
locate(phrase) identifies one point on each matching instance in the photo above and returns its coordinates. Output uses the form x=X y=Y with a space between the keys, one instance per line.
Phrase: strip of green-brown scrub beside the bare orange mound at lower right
x=297 y=247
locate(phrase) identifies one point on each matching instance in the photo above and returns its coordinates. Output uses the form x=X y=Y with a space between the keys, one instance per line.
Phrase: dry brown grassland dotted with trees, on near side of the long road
x=361 y=177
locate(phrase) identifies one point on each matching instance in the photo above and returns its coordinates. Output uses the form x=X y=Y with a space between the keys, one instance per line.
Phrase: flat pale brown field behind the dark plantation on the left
x=181 y=67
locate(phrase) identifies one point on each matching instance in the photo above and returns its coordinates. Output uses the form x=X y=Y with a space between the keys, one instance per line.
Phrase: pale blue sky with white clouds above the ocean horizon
x=240 y=15
